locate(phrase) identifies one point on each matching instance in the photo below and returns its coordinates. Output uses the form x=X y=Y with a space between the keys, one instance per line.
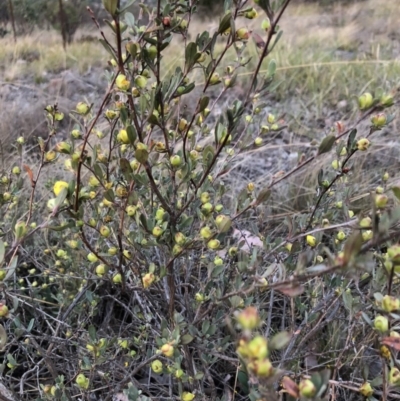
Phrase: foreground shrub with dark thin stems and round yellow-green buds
x=147 y=272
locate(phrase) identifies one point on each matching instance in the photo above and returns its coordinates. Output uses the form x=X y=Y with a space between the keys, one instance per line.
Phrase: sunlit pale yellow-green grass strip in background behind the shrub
x=337 y=48
